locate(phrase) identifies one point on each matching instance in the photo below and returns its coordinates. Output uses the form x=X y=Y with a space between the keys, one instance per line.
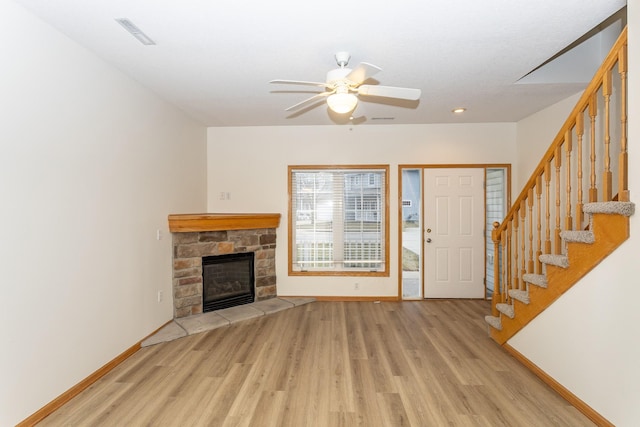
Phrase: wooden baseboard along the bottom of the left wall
x=65 y=397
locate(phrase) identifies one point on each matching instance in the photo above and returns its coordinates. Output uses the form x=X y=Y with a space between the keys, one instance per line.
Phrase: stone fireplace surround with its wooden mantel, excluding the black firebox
x=196 y=236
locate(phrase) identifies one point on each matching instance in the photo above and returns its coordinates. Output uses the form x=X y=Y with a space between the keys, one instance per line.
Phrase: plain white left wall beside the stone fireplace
x=91 y=165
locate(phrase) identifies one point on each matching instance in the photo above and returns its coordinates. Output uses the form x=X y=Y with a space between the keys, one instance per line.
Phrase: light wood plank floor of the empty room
x=422 y=363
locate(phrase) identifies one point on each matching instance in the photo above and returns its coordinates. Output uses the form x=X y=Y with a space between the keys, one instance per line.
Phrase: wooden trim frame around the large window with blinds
x=384 y=270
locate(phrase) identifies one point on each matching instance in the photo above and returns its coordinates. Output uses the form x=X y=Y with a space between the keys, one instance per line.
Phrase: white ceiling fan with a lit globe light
x=343 y=84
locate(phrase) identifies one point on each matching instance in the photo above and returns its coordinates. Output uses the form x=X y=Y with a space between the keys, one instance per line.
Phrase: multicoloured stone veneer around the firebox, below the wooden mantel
x=190 y=247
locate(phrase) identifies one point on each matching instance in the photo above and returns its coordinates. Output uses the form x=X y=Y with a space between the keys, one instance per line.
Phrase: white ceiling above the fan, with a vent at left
x=215 y=59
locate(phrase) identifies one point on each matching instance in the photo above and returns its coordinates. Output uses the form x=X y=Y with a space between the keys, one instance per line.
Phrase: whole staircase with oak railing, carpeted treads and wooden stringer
x=574 y=210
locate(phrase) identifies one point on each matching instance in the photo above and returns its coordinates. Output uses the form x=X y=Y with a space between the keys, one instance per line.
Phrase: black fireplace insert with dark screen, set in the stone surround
x=227 y=281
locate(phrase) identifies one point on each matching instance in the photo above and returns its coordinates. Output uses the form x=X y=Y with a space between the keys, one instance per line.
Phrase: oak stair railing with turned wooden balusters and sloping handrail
x=587 y=162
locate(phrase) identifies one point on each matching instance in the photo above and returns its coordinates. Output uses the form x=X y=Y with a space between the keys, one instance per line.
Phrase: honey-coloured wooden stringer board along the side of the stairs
x=609 y=230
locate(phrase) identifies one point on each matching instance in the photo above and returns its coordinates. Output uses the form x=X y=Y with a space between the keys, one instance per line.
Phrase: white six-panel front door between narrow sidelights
x=453 y=233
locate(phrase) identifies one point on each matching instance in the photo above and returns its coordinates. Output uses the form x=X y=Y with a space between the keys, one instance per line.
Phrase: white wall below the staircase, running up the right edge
x=588 y=340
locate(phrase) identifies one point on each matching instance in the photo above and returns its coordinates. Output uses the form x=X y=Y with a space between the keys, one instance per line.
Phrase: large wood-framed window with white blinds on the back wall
x=338 y=220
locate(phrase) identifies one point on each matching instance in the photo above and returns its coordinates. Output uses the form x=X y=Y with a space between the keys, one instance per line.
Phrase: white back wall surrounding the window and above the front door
x=251 y=164
